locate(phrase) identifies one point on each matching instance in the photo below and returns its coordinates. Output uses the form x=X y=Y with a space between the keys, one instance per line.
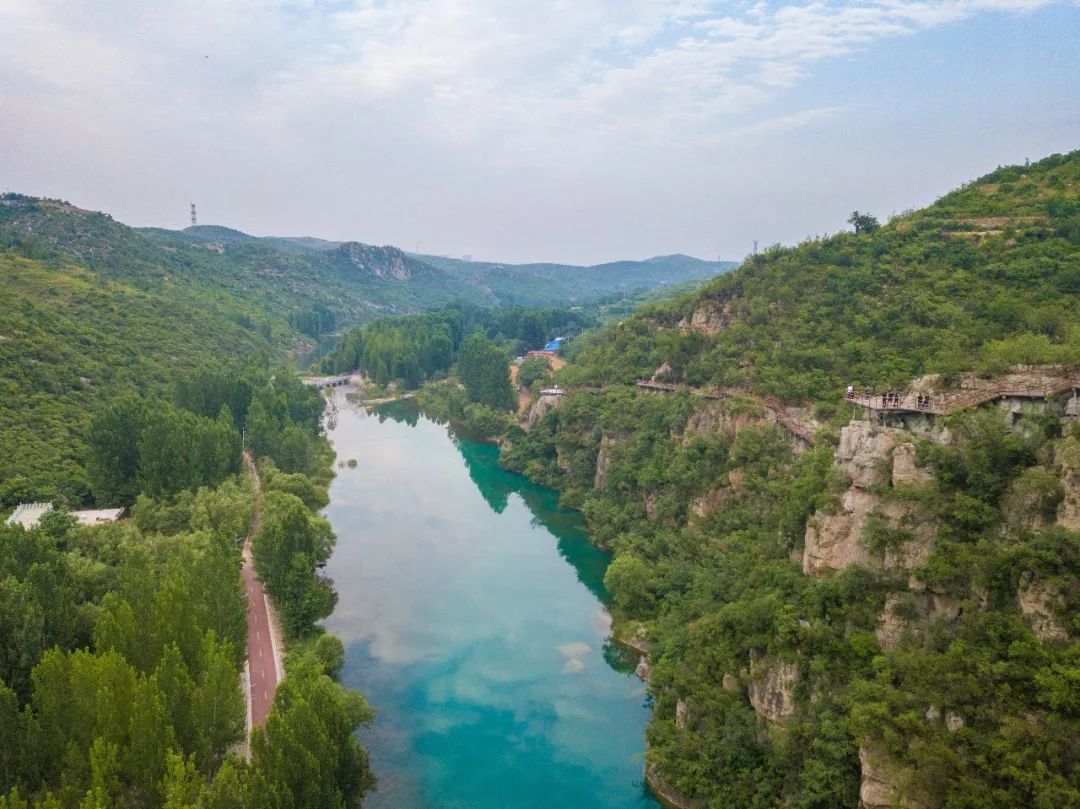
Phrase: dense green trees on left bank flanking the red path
x=121 y=645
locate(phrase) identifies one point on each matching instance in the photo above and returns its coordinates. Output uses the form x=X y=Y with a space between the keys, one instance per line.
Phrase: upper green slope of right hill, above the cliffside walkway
x=984 y=278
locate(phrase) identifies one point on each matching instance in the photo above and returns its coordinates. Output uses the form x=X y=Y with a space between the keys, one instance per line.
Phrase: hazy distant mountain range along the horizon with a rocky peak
x=313 y=285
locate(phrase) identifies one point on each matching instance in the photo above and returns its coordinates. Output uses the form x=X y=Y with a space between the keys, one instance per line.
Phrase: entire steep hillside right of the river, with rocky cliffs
x=886 y=617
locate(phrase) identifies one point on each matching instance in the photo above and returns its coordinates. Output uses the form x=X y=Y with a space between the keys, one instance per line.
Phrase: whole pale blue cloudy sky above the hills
x=576 y=131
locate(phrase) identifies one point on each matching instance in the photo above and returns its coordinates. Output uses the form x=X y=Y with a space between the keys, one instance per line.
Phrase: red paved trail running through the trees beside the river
x=263 y=670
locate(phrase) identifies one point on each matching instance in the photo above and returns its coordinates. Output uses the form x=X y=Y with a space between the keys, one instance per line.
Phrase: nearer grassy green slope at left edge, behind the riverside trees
x=71 y=341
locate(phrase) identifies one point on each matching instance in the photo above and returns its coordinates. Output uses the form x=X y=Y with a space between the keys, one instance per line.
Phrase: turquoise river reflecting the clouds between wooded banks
x=472 y=612
